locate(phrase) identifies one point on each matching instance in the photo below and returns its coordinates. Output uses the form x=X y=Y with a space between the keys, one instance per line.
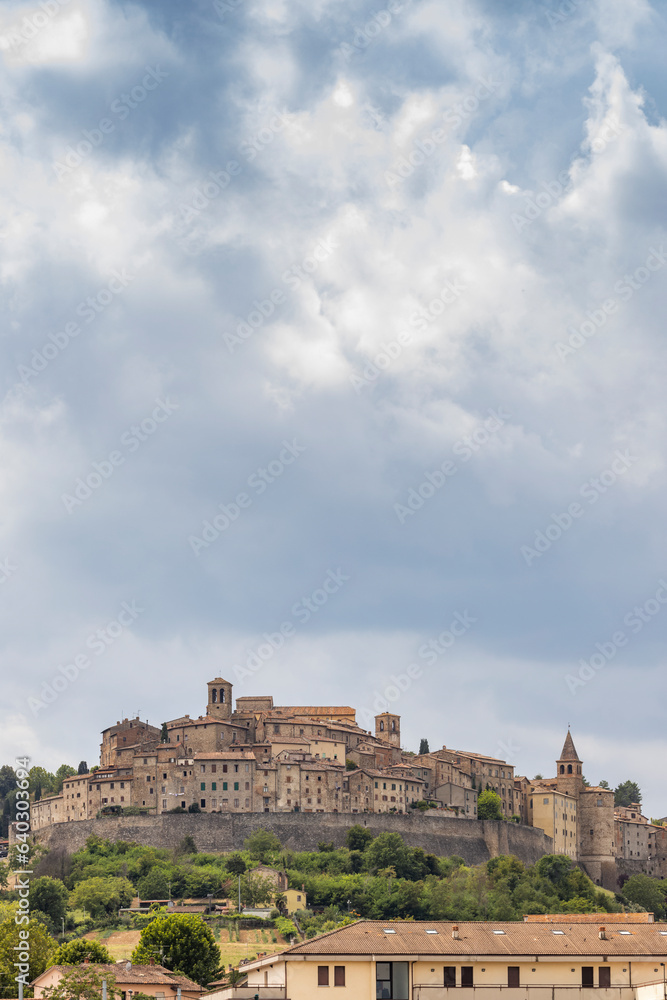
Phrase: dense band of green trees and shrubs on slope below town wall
x=377 y=877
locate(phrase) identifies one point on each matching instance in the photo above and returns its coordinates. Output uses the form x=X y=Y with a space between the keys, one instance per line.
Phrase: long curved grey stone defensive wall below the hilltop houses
x=474 y=840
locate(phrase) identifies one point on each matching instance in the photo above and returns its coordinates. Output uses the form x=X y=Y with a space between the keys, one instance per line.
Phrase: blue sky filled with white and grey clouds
x=345 y=319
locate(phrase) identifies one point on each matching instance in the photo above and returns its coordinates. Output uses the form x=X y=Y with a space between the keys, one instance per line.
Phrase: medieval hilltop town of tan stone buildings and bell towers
x=258 y=757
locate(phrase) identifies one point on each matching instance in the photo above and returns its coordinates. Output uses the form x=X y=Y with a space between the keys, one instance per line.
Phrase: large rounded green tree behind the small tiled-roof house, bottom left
x=183 y=943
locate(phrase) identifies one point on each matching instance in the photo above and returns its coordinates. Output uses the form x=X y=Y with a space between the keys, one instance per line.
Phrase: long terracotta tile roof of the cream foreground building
x=369 y=937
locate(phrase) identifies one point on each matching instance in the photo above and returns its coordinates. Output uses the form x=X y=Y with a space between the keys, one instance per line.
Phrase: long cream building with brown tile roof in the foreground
x=373 y=960
